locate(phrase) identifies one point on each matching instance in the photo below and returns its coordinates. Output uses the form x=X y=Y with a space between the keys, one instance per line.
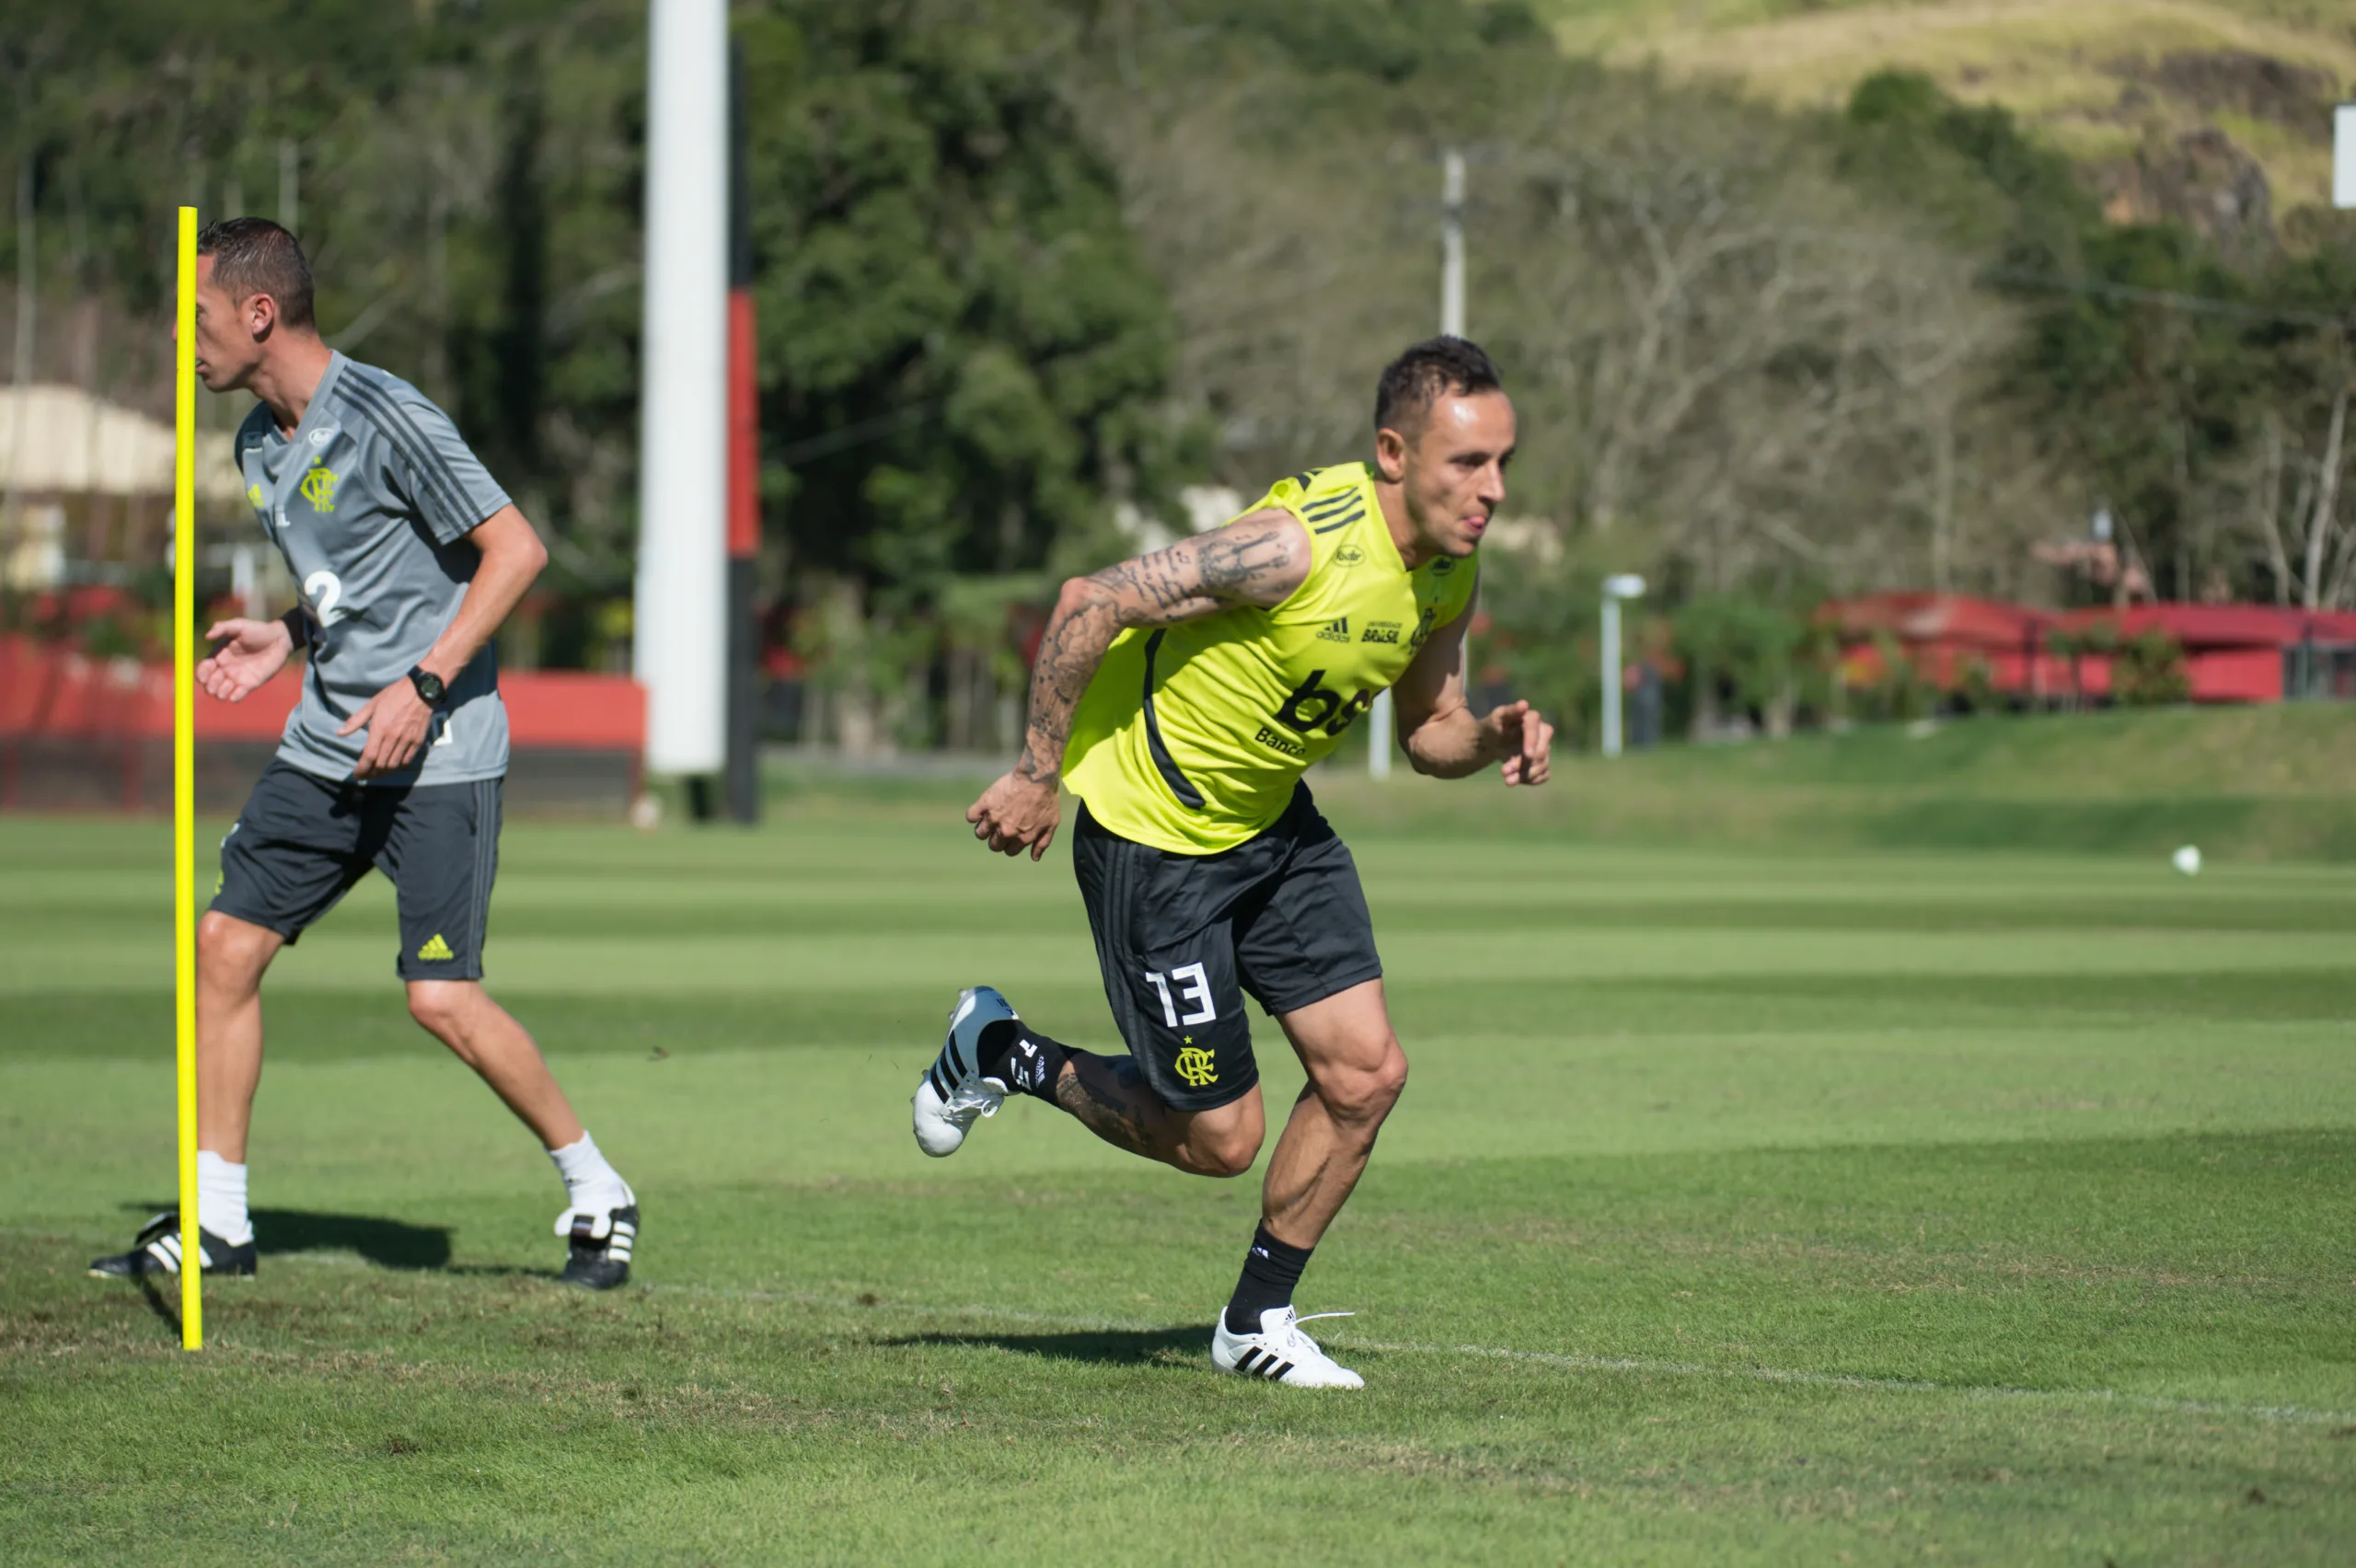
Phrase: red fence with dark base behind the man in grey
x=95 y=733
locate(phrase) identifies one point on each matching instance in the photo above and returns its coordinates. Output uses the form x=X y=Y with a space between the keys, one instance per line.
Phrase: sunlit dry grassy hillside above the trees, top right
x=2115 y=84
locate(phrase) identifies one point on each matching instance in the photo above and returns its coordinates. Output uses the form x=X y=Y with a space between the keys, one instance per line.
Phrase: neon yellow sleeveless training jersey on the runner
x=1191 y=738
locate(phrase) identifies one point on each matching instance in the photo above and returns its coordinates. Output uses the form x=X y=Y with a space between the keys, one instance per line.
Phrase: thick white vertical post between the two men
x=682 y=606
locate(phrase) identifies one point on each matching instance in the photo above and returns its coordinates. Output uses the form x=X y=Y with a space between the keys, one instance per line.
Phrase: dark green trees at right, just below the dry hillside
x=2155 y=368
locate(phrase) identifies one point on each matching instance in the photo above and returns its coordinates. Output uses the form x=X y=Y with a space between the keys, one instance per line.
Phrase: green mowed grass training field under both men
x=1745 y=1207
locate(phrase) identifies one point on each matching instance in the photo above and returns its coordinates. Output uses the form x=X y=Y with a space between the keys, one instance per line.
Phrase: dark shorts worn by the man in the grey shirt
x=303 y=842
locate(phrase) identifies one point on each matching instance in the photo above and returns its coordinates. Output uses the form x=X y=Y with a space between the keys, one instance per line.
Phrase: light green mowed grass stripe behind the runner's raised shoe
x=91 y=1136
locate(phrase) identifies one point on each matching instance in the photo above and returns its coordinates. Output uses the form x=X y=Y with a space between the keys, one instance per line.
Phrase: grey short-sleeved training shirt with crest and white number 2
x=371 y=505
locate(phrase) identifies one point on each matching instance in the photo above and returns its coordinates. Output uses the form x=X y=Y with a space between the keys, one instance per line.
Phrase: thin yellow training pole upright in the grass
x=192 y=1256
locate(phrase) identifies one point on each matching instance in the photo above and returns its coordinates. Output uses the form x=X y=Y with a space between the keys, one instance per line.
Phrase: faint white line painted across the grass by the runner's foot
x=1573 y=1362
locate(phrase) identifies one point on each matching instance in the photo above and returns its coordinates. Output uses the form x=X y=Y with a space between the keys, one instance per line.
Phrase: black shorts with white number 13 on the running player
x=1182 y=938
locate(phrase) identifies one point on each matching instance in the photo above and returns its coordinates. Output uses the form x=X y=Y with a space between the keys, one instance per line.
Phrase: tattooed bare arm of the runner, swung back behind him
x=1259 y=559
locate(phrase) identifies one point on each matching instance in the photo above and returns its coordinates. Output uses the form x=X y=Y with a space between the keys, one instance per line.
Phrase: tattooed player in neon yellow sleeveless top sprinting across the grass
x=1182 y=696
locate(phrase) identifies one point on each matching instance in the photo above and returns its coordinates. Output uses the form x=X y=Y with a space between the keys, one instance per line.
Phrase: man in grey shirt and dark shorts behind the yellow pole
x=409 y=557
